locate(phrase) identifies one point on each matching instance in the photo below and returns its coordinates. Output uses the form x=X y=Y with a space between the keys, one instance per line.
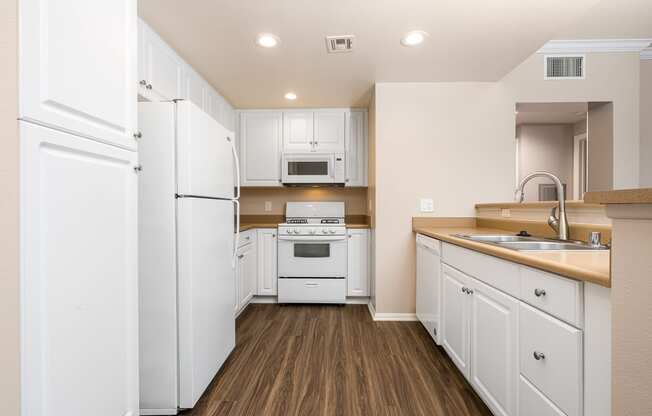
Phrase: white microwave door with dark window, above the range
x=308 y=168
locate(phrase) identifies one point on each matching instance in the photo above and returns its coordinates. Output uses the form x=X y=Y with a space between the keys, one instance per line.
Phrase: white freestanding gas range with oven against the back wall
x=312 y=253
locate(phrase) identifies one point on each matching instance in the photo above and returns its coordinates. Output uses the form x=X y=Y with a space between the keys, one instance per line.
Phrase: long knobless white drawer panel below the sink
x=495 y=272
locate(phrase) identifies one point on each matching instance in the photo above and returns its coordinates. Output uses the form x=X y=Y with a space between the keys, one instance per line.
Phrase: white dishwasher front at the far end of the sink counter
x=427 y=293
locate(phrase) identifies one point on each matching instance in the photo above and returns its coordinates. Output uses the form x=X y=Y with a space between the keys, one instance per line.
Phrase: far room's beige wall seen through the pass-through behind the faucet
x=546 y=147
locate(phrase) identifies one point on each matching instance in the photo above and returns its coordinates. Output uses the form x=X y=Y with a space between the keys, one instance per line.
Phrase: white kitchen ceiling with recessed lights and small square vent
x=470 y=40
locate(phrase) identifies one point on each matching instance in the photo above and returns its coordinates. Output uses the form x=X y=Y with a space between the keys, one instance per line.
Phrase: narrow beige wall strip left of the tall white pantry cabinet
x=9 y=312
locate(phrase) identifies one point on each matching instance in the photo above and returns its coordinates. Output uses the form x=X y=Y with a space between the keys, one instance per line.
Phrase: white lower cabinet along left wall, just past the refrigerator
x=246 y=271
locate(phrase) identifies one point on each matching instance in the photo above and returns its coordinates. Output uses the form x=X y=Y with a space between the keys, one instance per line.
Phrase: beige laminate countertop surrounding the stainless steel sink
x=590 y=266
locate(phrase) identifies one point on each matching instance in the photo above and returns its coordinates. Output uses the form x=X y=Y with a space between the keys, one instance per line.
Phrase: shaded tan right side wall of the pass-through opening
x=601 y=147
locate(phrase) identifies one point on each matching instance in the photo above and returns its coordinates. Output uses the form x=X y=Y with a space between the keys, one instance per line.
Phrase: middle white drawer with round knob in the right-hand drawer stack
x=551 y=358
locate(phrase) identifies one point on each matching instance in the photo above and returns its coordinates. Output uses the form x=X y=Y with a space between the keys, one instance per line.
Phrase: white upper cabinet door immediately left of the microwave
x=260 y=146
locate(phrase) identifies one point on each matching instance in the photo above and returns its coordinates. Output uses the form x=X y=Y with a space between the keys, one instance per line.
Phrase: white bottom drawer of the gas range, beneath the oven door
x=311 y=290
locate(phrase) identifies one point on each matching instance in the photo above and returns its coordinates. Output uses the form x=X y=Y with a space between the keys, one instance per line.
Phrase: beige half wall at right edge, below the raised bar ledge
x=631 y=310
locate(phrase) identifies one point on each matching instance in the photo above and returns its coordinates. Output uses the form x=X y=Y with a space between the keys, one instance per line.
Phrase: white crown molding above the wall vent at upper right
x=594 y=45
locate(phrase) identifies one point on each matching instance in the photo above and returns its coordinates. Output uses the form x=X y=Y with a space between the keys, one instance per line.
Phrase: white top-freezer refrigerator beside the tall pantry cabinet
x=188 y=231
